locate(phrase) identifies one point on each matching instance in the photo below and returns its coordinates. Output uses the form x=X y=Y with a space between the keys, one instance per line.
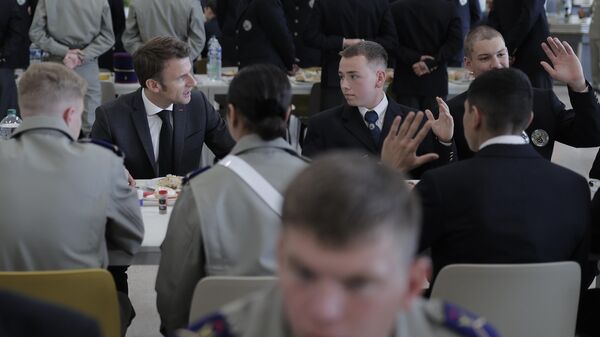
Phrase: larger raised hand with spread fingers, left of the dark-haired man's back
x=400 y=145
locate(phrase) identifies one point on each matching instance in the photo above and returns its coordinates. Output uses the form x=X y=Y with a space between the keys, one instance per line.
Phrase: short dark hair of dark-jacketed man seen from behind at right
x=505 y=97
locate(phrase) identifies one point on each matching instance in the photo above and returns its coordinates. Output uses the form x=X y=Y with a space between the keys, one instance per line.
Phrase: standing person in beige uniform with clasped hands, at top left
x=76 y=33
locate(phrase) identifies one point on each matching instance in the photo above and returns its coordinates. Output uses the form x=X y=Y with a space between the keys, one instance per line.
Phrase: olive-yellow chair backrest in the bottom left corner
x=89 y=291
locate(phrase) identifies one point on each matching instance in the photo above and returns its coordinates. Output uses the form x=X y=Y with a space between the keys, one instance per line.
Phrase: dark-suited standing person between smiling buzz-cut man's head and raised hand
x=524 y=25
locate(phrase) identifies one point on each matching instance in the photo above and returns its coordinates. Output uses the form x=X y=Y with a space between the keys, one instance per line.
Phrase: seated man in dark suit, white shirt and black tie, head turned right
x=161 y=128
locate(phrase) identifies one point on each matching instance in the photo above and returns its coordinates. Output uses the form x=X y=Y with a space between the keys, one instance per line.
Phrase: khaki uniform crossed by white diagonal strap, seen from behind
x=220 y=226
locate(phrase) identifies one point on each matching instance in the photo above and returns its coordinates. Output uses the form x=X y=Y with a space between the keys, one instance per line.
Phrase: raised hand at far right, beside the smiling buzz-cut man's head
x=566 y=66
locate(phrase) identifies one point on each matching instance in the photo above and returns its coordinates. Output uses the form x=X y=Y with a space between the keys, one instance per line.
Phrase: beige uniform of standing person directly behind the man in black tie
x=183 y=19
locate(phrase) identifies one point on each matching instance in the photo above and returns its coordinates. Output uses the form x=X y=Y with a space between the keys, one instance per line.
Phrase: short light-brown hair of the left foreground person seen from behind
x=48 y=83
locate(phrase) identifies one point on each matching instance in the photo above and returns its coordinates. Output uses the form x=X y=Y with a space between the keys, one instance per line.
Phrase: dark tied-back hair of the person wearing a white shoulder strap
x=262 y=94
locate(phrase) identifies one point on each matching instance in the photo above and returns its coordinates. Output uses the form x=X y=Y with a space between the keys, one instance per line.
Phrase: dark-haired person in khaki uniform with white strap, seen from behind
x=220 y=225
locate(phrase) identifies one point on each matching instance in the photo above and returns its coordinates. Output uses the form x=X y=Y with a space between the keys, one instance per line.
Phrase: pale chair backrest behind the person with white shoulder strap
x=213 y=292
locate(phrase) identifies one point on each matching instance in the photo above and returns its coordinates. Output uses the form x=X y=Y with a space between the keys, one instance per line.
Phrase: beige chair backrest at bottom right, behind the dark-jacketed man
x=537 y=299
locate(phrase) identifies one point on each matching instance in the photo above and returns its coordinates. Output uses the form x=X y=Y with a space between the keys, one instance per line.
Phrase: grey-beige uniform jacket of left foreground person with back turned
x=65 y=204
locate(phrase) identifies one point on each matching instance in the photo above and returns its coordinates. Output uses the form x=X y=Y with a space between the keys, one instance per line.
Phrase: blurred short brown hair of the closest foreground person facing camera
x=343 y=198
